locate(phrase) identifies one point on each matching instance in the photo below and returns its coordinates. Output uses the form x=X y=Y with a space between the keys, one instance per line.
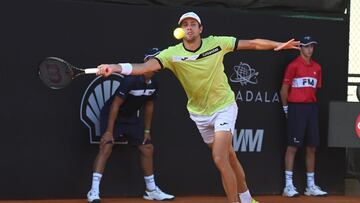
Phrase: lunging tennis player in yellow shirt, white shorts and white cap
x=198 y=64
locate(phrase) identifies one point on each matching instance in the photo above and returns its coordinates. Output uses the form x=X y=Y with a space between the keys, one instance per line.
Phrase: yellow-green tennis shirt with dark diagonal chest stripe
x=201 y=73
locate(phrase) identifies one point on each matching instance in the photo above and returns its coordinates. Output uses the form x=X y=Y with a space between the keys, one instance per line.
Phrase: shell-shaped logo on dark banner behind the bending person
x=95 y=96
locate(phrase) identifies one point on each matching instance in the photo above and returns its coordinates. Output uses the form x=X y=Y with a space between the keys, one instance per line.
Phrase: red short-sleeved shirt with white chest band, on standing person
x=303 y=79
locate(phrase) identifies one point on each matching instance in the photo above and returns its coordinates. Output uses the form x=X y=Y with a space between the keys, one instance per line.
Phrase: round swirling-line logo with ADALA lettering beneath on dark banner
x=246 y=75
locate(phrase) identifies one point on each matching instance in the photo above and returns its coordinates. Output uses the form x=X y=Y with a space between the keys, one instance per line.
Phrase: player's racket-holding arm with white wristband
x=129 y=69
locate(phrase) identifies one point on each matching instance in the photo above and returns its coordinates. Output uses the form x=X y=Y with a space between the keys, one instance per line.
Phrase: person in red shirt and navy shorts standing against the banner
x=298 y=95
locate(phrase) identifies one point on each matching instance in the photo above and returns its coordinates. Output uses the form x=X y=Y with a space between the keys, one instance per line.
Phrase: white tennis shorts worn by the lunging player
x=222 y=120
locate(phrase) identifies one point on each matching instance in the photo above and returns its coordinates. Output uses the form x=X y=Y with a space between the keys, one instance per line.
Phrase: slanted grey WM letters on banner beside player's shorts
x=248 y=140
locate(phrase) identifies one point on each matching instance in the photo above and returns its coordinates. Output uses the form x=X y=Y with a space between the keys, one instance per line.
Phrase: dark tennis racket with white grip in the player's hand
x=56 y=73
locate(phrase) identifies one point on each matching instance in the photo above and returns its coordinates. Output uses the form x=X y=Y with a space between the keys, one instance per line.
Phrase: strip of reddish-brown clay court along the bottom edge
x=206 y=199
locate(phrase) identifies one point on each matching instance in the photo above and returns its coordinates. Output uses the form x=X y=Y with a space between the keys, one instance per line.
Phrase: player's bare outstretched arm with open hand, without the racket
x=265 y=44
